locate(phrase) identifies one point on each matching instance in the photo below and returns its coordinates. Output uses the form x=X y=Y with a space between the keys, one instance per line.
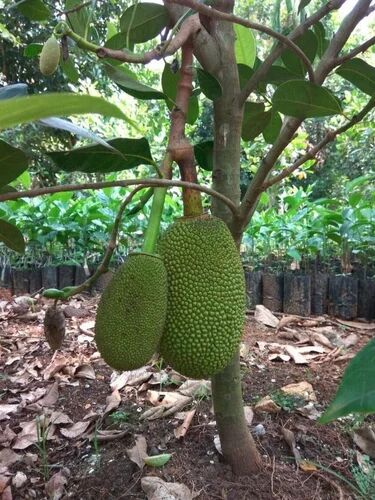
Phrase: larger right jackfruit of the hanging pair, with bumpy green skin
x=206 y=296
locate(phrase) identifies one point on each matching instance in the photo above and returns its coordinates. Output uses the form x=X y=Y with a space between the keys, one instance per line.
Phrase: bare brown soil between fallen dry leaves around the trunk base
x=195 y=461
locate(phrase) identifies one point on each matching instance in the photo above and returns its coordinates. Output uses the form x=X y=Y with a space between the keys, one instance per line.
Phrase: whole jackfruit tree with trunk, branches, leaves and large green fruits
x=263 y=83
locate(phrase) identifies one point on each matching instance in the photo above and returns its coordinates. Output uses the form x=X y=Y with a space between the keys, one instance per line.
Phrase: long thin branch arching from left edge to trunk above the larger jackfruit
x=33 y=193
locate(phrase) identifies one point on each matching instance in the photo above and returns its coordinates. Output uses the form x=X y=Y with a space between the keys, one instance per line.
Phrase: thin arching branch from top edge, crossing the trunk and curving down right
x=217 y=14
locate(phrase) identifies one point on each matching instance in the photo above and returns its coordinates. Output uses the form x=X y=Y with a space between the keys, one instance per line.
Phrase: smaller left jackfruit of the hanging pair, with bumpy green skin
x=131 y=312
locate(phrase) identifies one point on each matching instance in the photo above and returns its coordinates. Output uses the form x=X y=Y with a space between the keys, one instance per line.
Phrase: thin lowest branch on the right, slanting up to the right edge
x=329 y=137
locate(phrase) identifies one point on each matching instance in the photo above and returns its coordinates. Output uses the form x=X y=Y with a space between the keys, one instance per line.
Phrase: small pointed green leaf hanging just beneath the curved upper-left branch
x=124 y=78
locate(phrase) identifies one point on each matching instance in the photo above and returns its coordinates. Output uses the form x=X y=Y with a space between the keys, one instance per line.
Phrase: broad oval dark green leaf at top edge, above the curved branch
x=148 y=21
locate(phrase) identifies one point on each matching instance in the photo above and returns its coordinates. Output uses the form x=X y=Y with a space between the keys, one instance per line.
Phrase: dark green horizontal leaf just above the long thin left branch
x=130 y=153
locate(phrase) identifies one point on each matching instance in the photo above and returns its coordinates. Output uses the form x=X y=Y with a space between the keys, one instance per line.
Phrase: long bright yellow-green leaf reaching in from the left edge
x=31 y=108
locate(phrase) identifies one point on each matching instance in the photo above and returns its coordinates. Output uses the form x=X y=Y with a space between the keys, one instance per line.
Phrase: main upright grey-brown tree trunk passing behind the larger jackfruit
x=237 y=444
